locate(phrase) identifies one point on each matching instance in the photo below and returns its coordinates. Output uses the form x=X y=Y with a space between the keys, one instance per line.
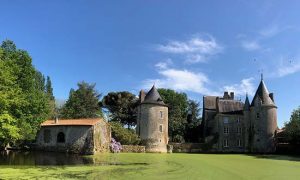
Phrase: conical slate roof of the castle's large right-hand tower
x=263 y=94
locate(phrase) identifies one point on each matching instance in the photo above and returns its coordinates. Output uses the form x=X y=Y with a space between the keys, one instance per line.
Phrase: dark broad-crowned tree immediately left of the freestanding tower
x=122 y=107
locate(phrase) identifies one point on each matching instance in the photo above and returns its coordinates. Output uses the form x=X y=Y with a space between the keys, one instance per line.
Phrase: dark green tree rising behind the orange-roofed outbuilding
x=82 y=103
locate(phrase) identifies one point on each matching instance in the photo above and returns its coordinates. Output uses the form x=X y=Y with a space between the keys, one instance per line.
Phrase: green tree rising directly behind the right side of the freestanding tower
x=178 y=108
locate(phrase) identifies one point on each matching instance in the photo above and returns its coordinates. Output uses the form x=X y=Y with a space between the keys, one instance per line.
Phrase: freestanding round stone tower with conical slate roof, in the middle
x=152 y=121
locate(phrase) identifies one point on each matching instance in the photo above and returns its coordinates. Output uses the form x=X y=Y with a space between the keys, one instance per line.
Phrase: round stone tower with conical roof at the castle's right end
x=263 y=120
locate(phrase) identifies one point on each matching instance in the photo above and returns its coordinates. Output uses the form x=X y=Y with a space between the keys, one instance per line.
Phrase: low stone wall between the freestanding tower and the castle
x=188 y=147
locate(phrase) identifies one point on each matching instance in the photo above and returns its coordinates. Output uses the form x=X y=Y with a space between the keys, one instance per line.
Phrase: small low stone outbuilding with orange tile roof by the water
x=82 y=136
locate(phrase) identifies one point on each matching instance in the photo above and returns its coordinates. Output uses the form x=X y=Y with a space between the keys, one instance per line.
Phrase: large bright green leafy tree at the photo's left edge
x=23 y=101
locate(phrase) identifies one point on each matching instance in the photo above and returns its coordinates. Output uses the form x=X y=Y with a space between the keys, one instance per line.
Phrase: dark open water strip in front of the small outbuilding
x=42 y=158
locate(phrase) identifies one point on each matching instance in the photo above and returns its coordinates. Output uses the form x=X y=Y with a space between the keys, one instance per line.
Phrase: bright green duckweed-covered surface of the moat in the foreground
x=166 y=166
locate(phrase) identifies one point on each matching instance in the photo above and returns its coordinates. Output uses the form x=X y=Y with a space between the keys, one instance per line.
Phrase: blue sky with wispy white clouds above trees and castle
x=197 y=47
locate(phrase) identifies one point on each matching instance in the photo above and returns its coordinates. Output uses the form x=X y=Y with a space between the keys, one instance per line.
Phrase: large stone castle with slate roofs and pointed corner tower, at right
x=230 y=125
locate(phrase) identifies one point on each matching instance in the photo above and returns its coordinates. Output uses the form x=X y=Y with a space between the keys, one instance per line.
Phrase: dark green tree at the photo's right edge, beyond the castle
x=292 y=128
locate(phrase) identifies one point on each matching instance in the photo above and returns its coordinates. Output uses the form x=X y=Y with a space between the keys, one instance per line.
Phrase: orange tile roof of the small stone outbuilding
x=72 y=122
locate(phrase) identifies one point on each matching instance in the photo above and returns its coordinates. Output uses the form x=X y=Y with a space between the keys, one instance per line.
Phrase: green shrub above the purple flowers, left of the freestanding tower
x=123 y=135
